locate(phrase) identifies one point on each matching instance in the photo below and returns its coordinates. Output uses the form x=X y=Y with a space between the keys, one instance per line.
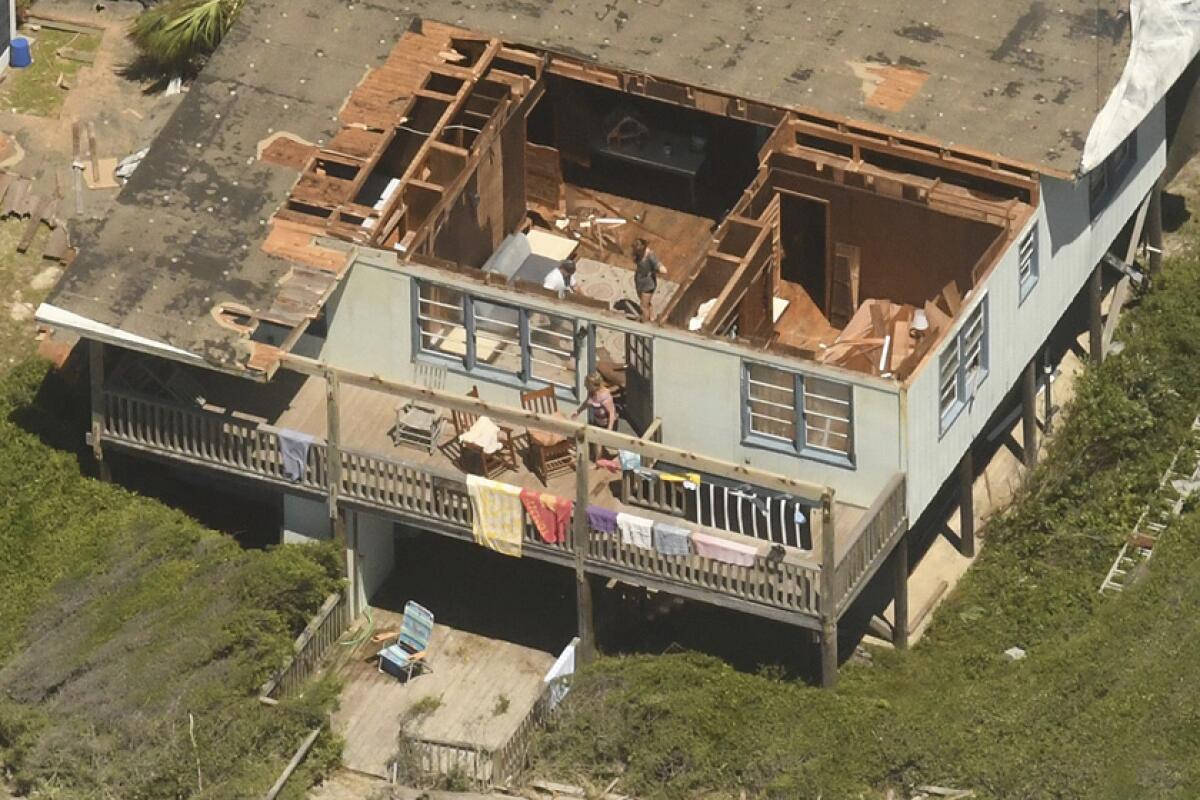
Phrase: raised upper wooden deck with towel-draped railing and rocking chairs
x=429 y=492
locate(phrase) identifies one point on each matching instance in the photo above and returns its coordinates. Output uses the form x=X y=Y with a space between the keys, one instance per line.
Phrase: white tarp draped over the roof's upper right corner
x=1166 y=39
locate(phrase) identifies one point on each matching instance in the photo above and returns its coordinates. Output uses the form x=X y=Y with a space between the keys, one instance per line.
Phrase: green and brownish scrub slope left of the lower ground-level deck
x=133 y=641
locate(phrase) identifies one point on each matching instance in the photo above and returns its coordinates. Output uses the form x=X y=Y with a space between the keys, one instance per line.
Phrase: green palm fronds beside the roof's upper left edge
x=176 y=37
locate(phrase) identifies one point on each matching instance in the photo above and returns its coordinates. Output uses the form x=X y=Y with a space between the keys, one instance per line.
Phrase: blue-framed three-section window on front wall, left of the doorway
x=491 y=338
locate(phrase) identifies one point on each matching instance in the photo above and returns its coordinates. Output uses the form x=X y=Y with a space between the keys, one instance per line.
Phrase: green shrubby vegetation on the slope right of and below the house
x=1103 y=707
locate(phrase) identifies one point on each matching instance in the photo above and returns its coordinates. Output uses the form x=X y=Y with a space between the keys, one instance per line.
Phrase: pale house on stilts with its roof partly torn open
x=333 y=263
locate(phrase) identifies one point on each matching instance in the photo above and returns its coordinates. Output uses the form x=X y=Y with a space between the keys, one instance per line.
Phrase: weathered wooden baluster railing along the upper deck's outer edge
x=428 y=494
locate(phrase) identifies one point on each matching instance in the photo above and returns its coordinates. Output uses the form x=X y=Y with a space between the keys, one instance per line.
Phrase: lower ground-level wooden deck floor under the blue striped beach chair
x=482 y=690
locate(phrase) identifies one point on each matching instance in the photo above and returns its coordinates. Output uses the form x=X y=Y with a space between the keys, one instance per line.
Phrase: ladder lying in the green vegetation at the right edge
x=1174 y=490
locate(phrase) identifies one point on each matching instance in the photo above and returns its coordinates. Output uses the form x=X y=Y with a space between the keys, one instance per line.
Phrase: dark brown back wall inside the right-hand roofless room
x=909 y=252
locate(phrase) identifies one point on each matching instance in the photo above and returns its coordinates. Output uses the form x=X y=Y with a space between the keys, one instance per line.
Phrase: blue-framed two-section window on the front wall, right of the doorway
x=820 y=426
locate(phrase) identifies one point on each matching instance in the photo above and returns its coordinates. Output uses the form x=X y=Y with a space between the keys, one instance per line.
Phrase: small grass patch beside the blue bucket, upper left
x=34 y=91
